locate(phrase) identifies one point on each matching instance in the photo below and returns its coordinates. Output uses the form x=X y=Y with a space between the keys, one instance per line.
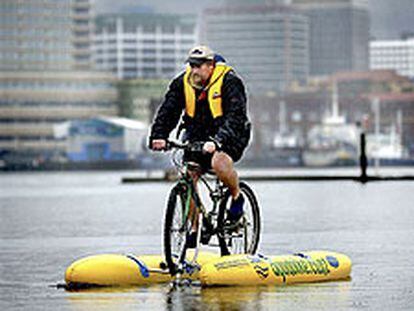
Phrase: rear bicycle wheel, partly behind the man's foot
x=244 y=239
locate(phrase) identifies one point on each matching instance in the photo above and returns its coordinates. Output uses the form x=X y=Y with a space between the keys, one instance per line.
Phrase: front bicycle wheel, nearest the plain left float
x=176 y=229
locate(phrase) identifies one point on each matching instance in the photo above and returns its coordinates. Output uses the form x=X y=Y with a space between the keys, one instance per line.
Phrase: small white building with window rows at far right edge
x=393 y=54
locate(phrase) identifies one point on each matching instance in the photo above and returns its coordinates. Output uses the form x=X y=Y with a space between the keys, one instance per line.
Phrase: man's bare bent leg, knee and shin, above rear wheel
x=222 y=165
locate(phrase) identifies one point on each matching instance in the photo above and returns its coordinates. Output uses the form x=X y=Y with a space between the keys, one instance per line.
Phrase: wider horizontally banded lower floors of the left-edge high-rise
x=32 y=102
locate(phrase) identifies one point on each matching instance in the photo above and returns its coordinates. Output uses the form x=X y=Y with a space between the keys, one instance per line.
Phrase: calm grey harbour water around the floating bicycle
x=48 y=220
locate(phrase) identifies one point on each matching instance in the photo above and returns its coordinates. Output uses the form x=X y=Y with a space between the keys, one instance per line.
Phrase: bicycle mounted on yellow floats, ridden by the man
x=181 y=218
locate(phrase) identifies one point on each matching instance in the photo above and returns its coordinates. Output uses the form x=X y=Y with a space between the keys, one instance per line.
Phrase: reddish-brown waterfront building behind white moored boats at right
x=355 y=101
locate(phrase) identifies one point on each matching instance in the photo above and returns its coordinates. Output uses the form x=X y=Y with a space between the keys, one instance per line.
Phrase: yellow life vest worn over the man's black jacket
x=213 y=90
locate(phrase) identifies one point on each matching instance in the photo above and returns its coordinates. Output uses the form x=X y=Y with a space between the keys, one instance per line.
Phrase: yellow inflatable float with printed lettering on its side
x=314 y=266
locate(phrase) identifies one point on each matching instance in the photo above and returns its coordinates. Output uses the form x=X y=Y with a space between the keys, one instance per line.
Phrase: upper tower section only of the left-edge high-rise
x=45 y=35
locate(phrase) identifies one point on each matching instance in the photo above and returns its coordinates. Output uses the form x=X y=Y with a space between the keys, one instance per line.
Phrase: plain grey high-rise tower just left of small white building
x=339 y=35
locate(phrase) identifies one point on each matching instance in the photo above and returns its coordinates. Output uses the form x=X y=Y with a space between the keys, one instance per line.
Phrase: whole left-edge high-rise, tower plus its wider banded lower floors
x=45 y=73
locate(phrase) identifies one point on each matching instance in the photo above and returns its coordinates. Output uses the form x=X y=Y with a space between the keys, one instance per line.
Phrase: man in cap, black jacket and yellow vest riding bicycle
x=214 y=100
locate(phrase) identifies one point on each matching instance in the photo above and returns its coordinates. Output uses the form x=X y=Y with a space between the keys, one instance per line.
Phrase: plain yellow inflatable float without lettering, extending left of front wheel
x=124 y=270
